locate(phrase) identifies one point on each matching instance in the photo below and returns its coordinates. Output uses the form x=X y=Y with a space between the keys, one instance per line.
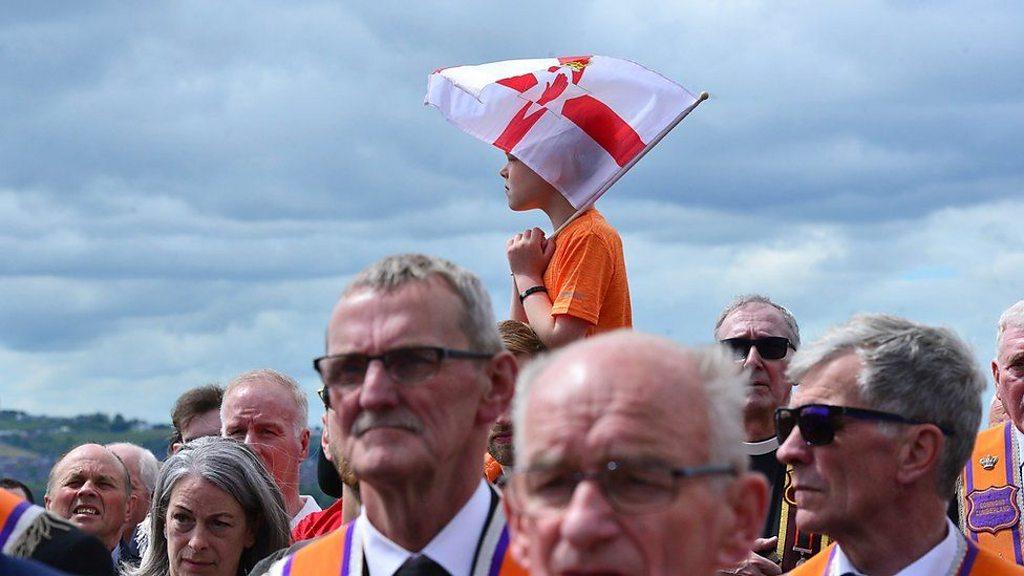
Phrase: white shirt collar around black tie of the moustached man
x=447 y=549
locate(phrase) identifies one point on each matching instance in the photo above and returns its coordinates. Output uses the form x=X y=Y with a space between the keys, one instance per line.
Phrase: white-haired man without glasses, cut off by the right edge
x=990 y=493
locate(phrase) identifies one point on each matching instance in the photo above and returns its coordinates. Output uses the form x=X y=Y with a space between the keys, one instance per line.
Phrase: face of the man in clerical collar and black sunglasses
x=770 y=389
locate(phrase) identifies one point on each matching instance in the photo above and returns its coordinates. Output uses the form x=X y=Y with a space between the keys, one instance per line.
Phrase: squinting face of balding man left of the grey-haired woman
x=91 y=490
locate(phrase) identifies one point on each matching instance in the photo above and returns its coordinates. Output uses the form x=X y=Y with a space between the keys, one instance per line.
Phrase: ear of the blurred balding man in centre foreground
x=748 y=499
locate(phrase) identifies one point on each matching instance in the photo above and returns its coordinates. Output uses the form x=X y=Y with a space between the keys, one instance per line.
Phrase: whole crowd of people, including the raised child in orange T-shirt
x=561 y=442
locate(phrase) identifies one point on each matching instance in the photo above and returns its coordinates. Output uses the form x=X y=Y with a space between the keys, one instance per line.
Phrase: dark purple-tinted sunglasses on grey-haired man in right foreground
x=819 y=423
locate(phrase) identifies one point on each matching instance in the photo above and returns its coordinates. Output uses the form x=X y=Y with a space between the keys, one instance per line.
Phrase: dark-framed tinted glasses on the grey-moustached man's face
x=405 y=366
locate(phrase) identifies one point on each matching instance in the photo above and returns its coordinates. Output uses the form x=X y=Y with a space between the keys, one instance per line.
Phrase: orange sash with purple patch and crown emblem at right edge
x=990 y=495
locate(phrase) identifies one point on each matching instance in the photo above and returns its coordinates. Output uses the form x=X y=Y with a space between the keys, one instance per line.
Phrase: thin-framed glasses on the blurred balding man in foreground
x=629 y=488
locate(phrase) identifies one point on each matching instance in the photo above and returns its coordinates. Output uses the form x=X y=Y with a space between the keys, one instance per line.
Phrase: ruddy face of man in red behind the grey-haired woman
x=266 y=417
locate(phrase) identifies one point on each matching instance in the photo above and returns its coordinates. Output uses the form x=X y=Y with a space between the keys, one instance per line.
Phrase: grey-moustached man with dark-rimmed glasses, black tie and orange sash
x=414 y=375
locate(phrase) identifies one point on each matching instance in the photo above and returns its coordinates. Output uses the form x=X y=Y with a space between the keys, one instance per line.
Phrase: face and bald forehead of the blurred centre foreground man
x=581 y=418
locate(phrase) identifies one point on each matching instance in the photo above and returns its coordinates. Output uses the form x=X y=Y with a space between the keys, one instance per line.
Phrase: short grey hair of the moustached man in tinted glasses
x=392 y=273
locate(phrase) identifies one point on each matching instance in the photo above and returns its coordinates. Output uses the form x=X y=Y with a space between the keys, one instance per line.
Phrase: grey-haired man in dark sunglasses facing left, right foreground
x=879 y=429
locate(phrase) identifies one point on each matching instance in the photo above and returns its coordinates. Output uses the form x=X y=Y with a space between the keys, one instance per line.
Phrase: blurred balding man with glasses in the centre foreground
x=629 y=462
